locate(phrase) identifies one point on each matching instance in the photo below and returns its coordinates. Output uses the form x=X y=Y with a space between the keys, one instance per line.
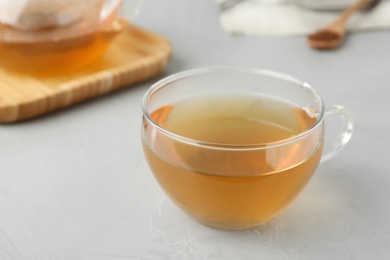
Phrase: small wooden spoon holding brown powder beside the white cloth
x=333 y=35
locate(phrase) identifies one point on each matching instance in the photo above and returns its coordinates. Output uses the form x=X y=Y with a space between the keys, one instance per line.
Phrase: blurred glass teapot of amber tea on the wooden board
x=56 y=36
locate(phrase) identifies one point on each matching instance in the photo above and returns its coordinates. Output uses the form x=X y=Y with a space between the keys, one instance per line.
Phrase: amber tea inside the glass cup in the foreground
x=225 y=188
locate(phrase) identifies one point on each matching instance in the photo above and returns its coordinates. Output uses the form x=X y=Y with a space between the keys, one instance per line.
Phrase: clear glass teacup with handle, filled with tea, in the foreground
x=233 y=147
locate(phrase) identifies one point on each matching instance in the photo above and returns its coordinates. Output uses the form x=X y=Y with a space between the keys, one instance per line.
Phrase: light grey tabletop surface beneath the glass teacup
x=75 y=185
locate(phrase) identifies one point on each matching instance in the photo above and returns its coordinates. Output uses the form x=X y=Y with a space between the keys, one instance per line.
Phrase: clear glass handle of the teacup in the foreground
x=344 y=134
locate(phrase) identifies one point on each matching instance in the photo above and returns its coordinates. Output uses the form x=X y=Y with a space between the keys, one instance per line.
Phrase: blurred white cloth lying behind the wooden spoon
x=294 y=17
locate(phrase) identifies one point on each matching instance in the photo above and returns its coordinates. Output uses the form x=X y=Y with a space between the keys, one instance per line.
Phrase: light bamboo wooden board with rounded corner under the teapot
x=133 y=56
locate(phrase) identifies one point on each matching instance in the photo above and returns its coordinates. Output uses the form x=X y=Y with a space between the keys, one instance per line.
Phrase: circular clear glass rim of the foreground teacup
x=232 y=147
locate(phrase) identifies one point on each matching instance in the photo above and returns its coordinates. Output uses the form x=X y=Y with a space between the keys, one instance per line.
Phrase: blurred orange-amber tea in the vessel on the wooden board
x=52 y=57
